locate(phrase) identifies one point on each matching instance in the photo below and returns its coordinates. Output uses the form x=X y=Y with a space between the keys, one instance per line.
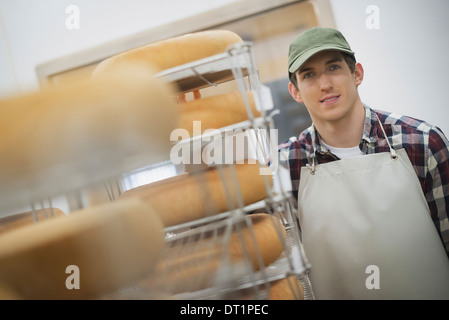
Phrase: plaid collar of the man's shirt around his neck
x=369 y=134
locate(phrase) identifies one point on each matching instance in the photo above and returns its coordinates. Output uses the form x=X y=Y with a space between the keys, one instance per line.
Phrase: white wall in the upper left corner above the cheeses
x=35 y=30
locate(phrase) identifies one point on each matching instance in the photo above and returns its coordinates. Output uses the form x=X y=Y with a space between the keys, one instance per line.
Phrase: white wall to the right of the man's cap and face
x=405 y=60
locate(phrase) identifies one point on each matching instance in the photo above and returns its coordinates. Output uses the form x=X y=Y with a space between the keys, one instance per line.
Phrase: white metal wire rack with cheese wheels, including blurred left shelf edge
x=236 y=64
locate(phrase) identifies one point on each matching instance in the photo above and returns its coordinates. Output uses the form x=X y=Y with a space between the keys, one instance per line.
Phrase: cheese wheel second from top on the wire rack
x=215 y=112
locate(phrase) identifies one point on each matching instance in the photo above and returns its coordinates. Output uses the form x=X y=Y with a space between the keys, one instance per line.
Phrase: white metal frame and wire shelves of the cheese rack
x=236 y=64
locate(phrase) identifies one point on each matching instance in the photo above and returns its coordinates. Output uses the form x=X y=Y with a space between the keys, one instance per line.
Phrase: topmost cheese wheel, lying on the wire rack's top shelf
x=175 y=51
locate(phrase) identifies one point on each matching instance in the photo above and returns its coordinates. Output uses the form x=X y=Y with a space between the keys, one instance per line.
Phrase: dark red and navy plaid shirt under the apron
x=426 y=146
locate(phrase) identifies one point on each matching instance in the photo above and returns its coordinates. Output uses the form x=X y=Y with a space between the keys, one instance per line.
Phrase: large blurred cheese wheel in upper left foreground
x=67 y=136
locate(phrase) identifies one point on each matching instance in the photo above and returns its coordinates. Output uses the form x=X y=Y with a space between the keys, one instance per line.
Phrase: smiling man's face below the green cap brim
x=327 y=87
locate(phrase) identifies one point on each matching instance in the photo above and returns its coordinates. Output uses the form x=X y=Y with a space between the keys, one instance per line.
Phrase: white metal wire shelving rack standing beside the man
x=238 y=64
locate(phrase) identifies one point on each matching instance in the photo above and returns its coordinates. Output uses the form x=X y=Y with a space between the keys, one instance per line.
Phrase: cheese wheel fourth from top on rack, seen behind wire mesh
x=211 y=259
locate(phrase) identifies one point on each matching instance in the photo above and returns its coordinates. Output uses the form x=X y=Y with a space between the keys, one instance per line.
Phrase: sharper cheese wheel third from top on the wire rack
x=196 y=195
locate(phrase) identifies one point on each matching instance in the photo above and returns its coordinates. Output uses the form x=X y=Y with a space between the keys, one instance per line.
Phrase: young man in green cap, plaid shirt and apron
x=372 y=186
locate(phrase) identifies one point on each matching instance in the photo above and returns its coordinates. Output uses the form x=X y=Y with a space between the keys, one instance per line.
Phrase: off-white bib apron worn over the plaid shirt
x=367 y=231
